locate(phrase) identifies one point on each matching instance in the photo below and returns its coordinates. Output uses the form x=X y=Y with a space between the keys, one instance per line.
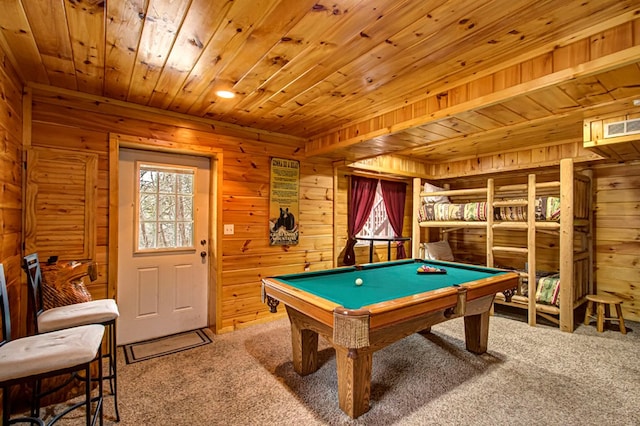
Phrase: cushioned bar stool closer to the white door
x=102 y=311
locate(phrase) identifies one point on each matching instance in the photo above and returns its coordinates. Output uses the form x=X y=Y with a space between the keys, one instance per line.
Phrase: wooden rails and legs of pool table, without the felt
x=382 y=324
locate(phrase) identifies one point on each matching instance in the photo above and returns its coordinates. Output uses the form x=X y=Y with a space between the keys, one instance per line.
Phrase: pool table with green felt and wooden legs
x=393 y=301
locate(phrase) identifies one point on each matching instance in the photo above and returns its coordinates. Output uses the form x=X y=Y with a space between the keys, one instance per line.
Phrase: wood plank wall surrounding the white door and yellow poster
x=70 y=121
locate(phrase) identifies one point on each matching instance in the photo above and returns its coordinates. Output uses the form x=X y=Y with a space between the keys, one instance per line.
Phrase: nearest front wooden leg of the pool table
x=354 y=380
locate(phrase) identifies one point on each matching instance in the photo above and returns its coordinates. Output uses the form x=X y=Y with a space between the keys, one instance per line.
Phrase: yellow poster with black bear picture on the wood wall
x=283 y=201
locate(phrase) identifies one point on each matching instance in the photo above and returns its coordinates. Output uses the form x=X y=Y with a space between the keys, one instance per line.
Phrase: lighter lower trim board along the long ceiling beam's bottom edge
x=598 y=65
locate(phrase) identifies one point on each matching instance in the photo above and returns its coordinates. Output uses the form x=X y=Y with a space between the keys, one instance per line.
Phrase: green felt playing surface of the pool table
x=384 y=281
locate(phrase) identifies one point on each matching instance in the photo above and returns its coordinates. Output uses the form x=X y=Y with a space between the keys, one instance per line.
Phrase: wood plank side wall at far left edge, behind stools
x=11 y=122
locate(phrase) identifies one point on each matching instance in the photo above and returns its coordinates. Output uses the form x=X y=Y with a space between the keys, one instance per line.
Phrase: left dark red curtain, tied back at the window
x=363 y=193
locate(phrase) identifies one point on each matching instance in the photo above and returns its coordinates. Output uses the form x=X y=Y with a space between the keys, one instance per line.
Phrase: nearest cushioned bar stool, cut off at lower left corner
x=32 y=358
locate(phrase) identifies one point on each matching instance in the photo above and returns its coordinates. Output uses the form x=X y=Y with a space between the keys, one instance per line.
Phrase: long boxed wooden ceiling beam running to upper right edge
x=559 y=64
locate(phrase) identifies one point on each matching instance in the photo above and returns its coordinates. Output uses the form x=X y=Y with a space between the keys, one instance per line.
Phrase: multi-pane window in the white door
x=165 y=216
